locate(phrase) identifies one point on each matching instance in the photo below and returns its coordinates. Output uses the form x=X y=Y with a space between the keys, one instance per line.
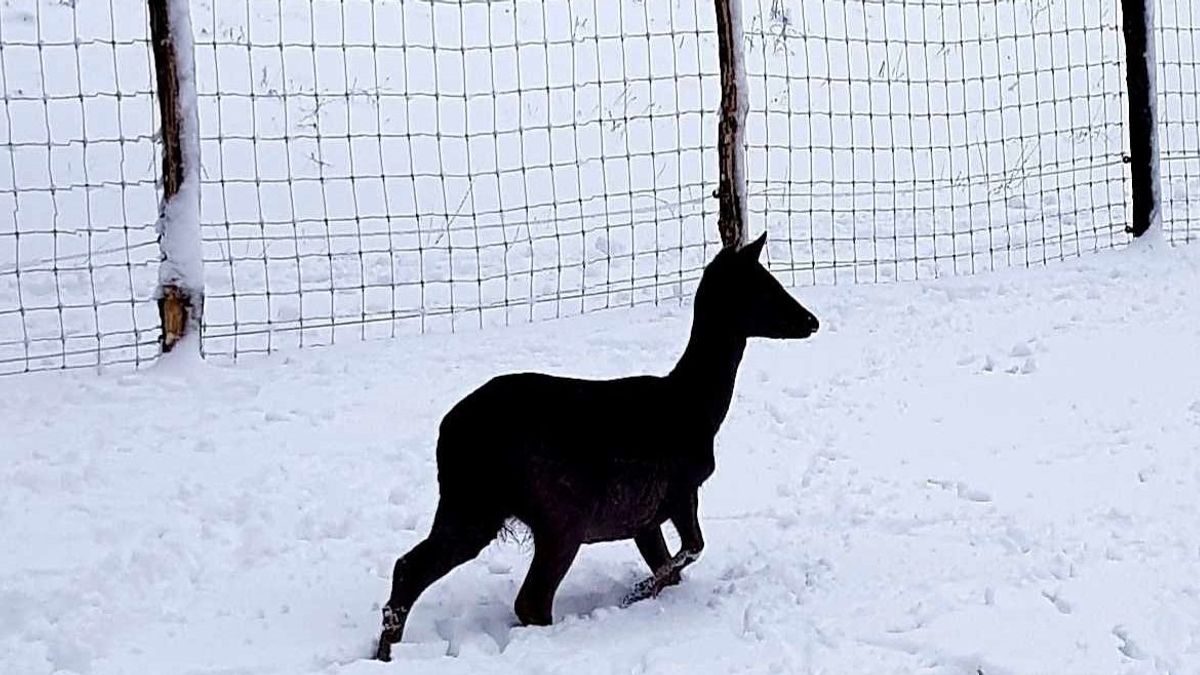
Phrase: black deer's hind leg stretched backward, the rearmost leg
x=457 y=537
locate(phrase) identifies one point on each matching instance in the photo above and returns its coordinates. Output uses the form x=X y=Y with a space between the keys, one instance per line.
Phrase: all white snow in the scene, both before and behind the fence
x=963 y=474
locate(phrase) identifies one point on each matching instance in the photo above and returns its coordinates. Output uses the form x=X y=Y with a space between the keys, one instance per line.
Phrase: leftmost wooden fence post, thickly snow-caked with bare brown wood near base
x=181 y=291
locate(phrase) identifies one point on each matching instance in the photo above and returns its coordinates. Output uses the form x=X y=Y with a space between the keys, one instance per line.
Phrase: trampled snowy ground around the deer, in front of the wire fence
x=994 y=475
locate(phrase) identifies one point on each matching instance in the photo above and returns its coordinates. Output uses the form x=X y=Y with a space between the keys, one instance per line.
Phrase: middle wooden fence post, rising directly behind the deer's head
x=731 y=130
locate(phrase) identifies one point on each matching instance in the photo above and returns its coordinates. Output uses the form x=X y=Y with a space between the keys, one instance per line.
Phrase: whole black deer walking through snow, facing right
x=581 y=462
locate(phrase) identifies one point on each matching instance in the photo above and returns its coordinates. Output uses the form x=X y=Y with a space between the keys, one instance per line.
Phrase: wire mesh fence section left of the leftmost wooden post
x=77 y=188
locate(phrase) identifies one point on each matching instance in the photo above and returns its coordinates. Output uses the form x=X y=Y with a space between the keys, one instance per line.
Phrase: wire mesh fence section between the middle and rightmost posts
x=922 y=139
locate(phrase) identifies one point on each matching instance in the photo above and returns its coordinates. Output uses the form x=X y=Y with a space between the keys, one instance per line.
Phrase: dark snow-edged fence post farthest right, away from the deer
x=1138 y=17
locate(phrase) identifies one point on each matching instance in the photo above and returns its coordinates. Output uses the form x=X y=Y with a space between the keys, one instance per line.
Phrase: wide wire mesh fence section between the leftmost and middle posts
x=400 y=168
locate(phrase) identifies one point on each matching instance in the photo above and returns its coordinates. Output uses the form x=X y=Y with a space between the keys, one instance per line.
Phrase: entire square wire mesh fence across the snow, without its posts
x=376 y=168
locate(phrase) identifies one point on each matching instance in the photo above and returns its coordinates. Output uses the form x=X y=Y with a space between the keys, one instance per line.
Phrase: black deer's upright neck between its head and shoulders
x=706 y=374
